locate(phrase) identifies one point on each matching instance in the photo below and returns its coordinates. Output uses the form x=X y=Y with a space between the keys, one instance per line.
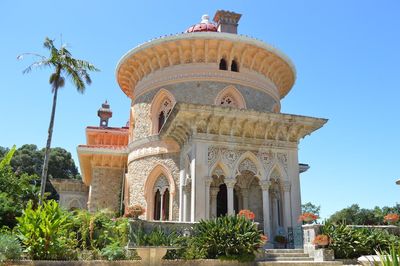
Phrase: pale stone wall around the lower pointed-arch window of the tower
x=138 y=172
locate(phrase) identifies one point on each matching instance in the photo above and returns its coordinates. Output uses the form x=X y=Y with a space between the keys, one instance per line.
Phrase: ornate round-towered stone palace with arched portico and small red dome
x=205 y=136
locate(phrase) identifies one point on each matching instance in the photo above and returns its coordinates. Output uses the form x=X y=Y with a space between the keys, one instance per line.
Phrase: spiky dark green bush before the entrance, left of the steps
x=228 y=237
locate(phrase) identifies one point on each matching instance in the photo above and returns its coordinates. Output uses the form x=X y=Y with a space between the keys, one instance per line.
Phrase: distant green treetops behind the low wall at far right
x=354 y=215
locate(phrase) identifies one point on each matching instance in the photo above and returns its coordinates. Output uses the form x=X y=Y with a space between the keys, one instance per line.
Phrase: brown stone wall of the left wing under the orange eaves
x=105 y=190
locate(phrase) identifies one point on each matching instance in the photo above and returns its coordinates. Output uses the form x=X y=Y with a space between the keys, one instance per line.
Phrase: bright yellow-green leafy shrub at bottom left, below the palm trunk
x=46 y=232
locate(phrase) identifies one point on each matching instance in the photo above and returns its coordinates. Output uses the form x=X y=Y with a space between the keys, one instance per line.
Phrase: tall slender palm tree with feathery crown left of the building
x=63 y=65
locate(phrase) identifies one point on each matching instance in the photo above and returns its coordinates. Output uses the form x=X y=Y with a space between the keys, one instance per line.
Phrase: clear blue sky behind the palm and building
x=346 y=54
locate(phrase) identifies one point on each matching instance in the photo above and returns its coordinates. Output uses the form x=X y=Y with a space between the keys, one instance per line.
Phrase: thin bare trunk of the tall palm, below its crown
x=47 y=150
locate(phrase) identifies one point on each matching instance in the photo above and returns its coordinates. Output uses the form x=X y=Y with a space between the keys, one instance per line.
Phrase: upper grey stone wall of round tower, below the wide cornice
x=196 y=92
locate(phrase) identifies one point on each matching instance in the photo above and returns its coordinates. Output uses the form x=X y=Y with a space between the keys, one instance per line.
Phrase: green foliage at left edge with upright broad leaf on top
x=15 y=191
